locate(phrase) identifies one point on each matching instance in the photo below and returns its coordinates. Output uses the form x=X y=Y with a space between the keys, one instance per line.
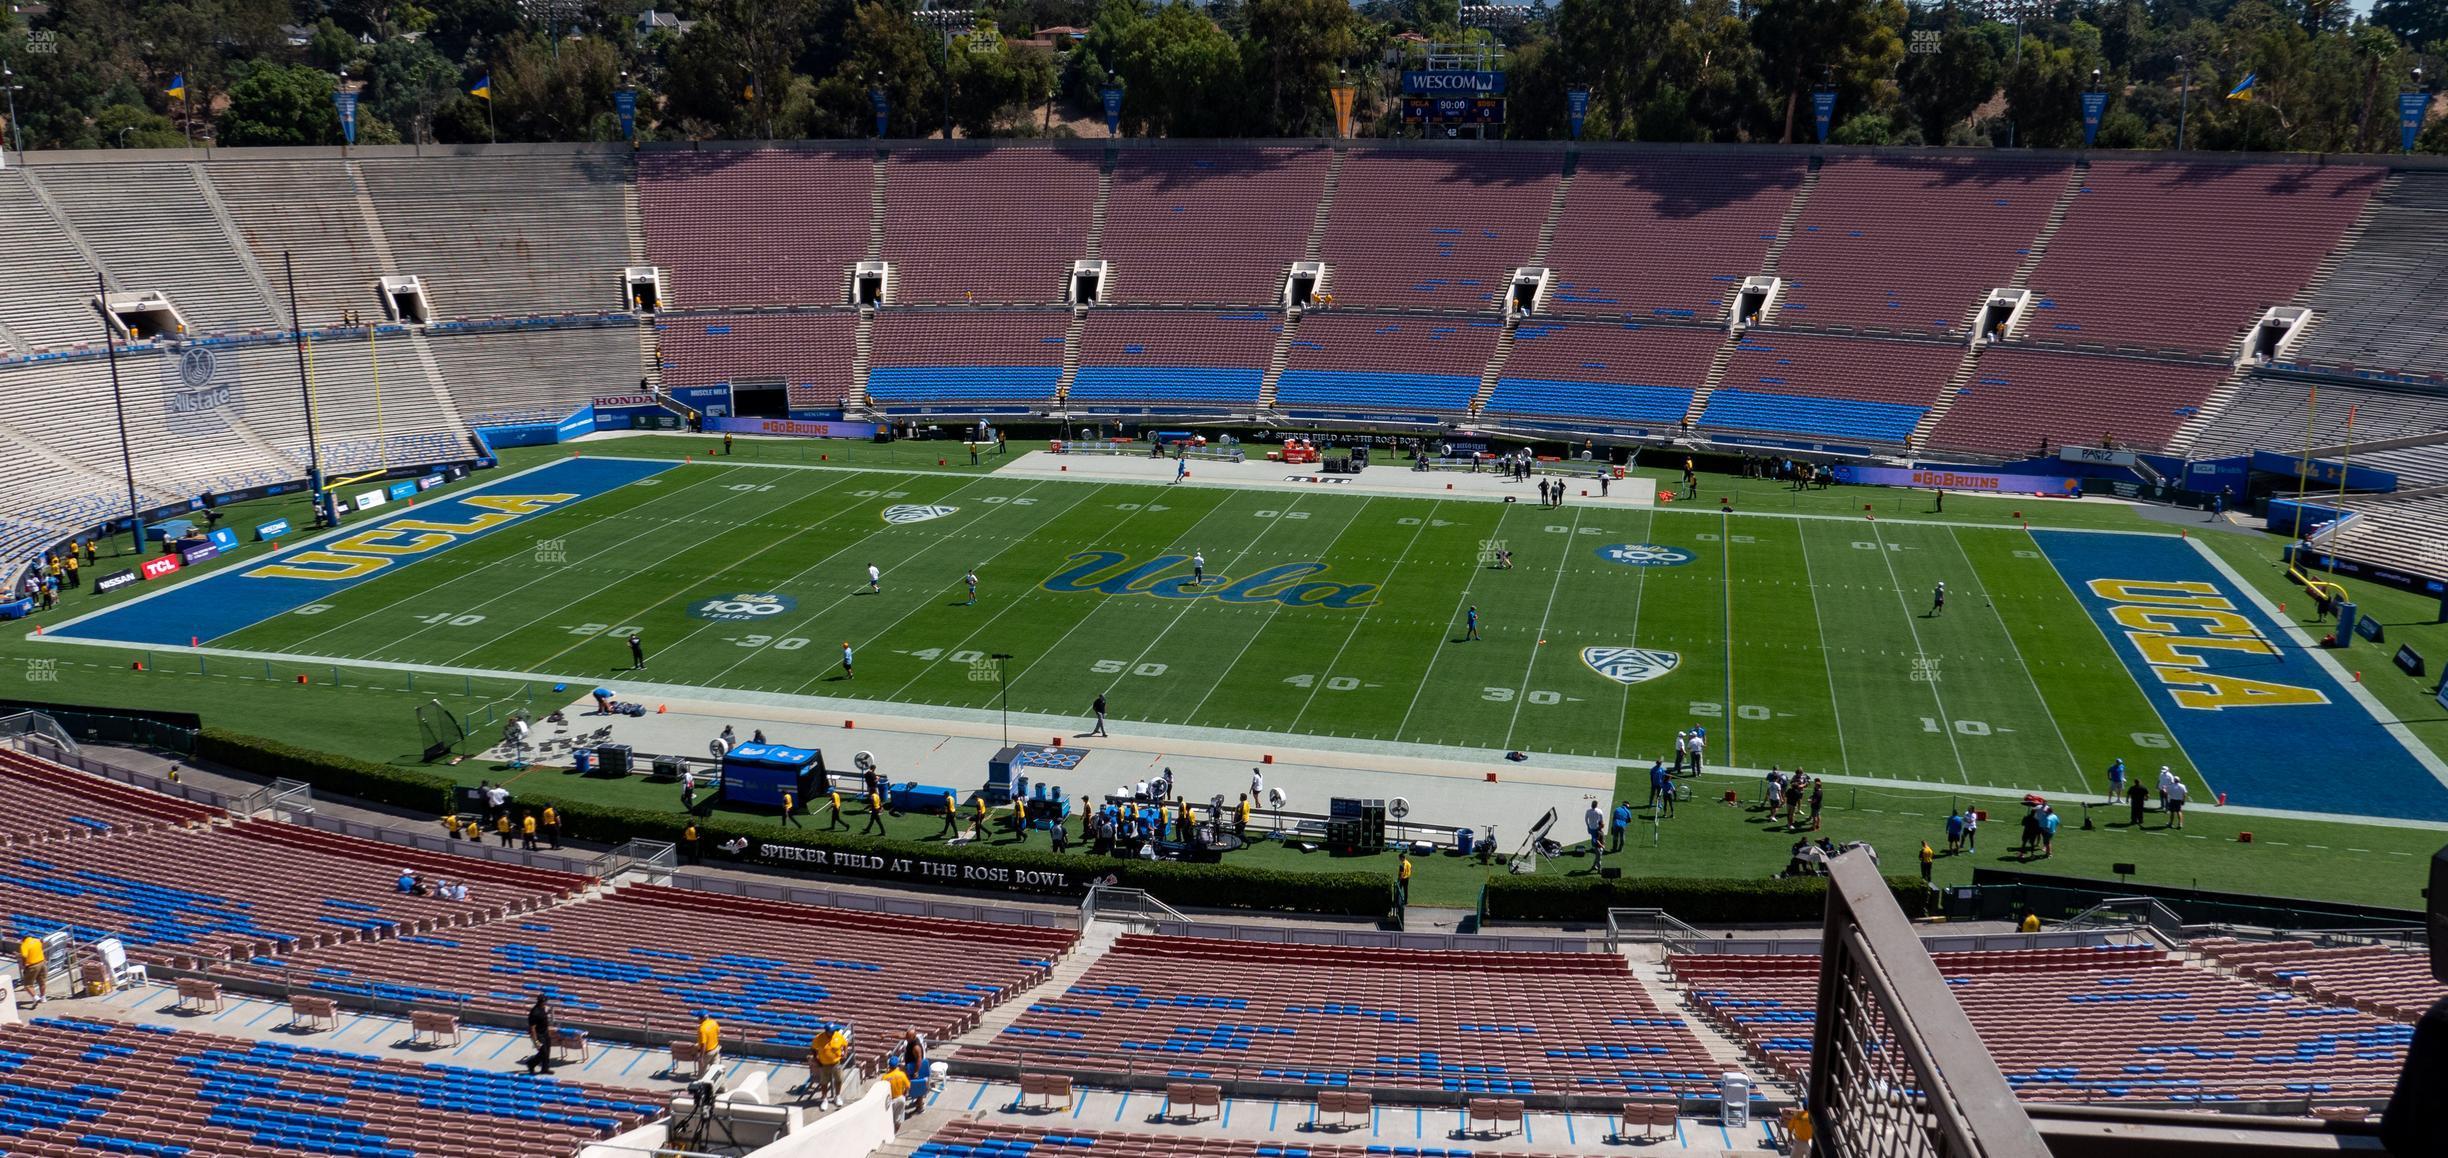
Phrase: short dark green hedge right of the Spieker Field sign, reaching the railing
x=1695 y=900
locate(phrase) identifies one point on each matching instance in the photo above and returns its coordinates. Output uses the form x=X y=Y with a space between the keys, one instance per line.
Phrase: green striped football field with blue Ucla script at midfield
x=1793 y=640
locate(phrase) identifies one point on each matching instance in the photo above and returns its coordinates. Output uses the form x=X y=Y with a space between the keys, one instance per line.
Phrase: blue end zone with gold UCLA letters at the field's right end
x=2258 y=714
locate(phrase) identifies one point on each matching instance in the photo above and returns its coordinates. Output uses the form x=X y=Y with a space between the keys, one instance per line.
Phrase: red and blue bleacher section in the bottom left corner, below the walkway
x=75 y=1088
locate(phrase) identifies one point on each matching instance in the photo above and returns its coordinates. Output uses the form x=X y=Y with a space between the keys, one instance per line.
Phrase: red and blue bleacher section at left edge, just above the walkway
x=190 y=897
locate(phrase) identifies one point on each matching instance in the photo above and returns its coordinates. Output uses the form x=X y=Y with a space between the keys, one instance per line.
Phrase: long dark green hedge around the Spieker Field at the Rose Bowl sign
x=998 y=868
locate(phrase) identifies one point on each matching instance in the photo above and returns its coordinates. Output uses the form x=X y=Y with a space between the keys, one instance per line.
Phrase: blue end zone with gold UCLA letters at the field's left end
x=244 y=596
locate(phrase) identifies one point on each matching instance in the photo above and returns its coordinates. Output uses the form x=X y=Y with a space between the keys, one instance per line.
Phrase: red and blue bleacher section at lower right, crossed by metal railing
x=2092 y=1025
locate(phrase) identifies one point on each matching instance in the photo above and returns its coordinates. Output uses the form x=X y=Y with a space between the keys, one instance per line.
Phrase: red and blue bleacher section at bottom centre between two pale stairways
x=1362 y=1017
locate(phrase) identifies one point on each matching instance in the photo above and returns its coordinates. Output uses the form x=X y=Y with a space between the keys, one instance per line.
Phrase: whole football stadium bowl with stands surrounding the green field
x=1201 y=648
